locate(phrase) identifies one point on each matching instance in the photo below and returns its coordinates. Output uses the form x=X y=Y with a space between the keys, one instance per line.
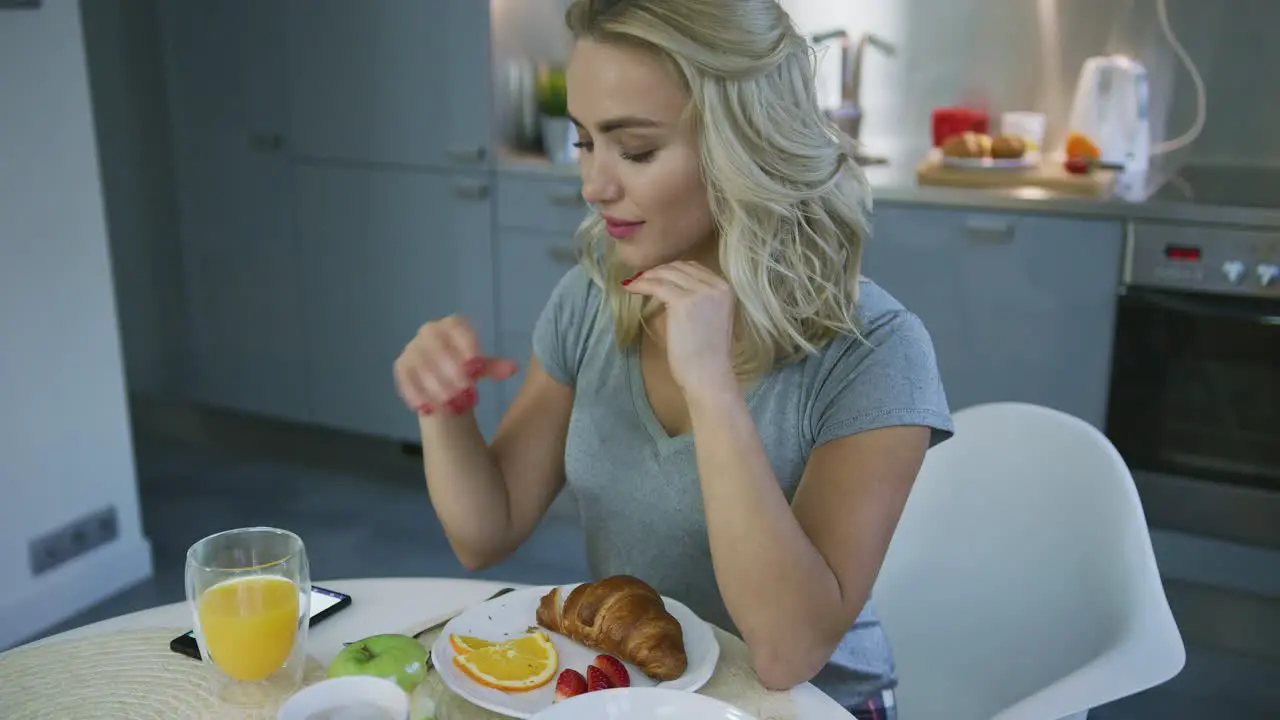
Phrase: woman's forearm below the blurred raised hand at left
x=467 y=489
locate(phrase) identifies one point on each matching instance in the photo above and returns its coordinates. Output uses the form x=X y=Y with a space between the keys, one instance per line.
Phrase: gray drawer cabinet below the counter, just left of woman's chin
x=537 y=218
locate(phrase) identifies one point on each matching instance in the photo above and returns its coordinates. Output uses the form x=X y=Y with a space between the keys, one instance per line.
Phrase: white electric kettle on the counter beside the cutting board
x=1112 y=108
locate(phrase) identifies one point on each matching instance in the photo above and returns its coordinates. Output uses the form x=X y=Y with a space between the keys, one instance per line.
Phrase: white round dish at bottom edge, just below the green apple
x=354 y=696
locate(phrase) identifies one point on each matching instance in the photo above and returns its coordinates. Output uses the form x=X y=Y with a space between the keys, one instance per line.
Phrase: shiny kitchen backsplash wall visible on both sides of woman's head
x=1014 y=54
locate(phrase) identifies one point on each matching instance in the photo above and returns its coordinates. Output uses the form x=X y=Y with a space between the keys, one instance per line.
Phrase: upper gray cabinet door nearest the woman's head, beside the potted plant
x=404 y=83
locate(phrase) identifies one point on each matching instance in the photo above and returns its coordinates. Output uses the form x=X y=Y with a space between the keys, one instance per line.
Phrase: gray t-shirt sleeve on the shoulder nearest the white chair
x=889 y=379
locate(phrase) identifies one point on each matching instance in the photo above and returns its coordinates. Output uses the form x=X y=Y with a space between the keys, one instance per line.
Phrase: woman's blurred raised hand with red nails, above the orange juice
x=438 y=370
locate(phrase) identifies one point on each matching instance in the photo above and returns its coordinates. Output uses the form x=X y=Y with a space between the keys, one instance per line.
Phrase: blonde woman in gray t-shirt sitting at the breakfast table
x=739 y=414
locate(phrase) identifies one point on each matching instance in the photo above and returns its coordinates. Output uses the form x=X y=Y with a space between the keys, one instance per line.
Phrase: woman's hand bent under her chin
x=700 y=323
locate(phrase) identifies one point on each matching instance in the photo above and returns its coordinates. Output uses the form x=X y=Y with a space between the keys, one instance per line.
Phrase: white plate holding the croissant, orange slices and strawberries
x=515 y=613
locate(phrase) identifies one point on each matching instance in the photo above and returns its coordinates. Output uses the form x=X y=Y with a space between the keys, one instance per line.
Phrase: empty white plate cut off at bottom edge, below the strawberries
x=642 y=704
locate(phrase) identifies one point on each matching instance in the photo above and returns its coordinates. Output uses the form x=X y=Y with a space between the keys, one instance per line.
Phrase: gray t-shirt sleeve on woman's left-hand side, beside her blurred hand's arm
x=563 y=329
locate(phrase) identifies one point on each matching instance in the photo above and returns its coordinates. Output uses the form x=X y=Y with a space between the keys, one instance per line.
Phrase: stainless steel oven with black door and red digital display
x=1195 y=400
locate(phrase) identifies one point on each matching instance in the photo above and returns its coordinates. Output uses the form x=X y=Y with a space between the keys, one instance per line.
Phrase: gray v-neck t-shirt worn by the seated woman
x=638 y=489
